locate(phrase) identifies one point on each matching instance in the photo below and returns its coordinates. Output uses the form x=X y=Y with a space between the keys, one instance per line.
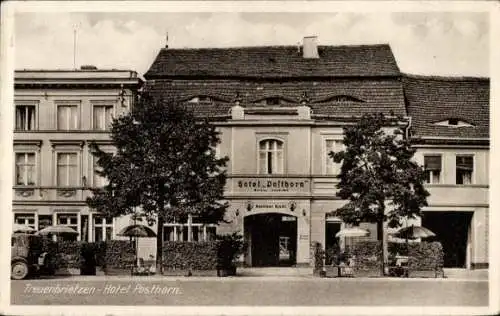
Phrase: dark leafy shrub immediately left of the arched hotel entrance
x=229 y=248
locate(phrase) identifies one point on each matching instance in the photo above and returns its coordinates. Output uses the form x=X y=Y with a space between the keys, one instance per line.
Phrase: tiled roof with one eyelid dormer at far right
x=435 y=99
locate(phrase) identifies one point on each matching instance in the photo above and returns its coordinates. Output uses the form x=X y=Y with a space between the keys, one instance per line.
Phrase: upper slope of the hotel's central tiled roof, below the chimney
x=274 y=62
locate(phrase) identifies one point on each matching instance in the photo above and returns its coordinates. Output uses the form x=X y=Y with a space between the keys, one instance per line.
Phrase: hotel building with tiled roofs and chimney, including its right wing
x=280 y=110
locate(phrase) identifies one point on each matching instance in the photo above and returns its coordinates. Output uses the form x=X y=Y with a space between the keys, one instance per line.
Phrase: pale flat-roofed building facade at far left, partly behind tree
x=56 y=116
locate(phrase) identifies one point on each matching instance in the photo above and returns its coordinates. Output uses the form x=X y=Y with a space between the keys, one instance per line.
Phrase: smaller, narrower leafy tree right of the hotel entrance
x=378 y=176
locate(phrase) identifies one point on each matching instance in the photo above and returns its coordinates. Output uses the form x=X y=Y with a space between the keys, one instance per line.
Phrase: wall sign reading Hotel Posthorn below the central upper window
x=268 y=185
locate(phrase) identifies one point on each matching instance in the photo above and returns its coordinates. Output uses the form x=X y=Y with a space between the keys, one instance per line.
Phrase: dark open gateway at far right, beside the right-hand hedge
x=452 y=230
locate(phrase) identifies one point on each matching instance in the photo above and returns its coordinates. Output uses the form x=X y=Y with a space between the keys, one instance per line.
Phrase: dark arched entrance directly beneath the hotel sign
x=273 y=239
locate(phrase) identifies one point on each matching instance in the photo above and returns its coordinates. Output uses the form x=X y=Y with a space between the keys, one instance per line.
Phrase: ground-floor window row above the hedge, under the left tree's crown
x=180 y=232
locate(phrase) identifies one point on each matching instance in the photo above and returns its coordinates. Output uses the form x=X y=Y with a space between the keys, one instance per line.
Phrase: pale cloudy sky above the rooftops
x=427 y=43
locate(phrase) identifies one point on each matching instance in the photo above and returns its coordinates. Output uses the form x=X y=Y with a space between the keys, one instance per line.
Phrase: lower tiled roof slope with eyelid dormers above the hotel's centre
x=377 y=95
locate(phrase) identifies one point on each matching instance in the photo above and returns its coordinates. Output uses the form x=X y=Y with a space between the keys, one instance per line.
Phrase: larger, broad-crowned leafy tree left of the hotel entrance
x=165 y=165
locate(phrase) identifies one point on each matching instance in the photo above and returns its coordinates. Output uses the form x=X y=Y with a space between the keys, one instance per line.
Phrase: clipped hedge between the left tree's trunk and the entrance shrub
x=190 y=255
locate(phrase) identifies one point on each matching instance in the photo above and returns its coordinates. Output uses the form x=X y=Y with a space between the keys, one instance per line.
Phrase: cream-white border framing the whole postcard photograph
x=7 y=62
